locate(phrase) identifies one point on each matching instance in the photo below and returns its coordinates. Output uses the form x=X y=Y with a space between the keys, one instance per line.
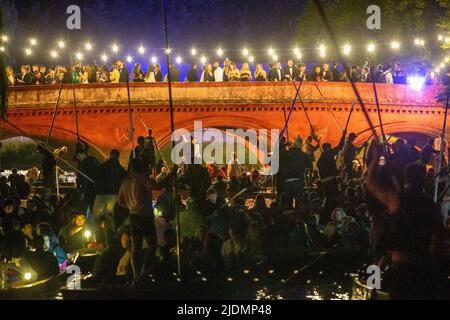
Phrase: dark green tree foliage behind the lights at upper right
x=401 y=20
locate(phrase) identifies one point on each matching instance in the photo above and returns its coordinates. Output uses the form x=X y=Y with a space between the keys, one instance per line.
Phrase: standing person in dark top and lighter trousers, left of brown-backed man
x=109 y=178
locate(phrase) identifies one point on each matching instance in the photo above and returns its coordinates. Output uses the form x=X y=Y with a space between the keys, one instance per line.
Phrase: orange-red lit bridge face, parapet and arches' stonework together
x=104 y=119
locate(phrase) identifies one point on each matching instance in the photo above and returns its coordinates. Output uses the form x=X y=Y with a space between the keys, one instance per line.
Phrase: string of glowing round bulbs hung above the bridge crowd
x=115 y=50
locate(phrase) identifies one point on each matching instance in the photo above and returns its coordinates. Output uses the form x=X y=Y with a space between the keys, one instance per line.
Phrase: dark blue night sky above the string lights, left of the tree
x=207 y=24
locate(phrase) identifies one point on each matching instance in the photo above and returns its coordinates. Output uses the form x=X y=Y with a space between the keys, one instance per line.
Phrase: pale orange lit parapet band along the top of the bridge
x=219 y=94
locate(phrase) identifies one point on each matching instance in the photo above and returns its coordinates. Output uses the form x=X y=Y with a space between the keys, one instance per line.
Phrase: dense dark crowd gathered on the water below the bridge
x=377 y=206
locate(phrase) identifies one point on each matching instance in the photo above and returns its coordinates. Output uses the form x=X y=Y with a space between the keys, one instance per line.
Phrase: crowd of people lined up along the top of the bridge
x=215 y=72
